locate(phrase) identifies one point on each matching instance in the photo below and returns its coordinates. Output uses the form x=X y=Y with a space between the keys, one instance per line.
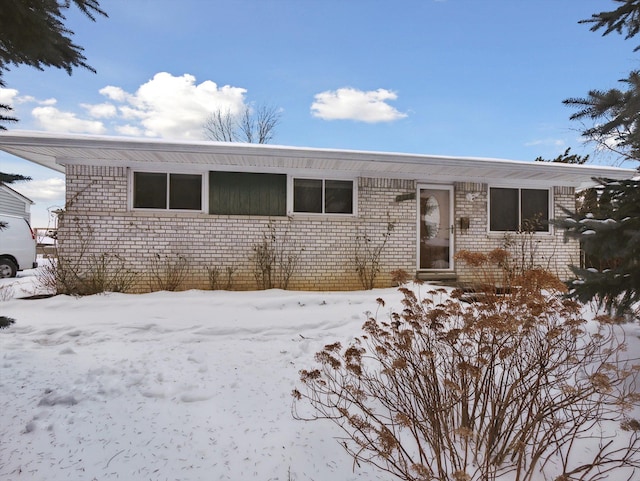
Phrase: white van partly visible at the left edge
x=17 y=245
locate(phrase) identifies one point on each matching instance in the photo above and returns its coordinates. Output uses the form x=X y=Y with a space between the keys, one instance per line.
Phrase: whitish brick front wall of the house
x=98 y=221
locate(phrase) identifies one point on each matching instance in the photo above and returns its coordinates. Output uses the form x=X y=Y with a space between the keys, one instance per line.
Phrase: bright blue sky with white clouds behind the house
x=482 y=78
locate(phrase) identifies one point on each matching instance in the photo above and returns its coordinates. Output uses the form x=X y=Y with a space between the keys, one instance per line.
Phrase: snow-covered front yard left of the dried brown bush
x=170 y=386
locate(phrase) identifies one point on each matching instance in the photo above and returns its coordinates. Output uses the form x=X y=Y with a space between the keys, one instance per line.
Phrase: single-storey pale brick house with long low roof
x=213 y=203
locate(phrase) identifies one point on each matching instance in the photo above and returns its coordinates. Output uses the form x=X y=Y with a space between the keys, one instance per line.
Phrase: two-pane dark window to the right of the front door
x=514 y=210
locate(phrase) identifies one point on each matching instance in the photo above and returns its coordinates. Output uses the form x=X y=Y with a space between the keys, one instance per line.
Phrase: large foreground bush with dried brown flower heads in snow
x=512 y=386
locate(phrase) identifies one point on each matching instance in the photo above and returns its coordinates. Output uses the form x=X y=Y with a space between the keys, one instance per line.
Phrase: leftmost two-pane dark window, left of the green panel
x=153 y=190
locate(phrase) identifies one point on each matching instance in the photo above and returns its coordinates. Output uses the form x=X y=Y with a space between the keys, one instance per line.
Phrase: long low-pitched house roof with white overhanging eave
x=58 y=150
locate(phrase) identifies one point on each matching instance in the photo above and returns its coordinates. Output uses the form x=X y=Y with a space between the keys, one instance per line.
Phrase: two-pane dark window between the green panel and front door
x=320 y=196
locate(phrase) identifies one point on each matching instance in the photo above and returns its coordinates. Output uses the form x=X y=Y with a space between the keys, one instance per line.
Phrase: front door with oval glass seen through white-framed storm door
x=435 y=227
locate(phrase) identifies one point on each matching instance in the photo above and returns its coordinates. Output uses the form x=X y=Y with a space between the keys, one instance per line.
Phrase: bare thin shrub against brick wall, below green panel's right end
x=275 y=258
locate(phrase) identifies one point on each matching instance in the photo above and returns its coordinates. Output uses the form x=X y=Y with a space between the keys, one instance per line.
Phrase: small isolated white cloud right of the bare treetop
x=351 y=104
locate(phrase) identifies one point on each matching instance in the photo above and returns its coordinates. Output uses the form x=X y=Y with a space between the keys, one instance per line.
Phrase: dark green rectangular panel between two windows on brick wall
x=241 y=193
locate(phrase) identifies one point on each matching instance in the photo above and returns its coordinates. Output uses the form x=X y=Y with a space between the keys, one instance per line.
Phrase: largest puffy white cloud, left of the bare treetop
x=173 y=107
